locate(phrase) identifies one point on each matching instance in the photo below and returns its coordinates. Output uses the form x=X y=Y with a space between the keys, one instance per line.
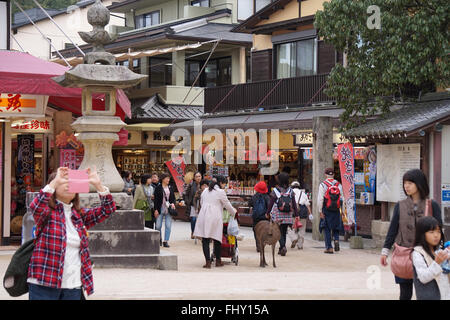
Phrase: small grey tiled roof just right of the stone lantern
x=154 y=108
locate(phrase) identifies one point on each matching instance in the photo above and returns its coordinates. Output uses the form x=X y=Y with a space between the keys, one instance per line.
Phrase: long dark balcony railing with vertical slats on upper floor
x=271 y=94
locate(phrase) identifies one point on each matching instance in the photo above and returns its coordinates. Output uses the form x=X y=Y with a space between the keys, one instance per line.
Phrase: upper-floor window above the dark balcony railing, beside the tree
x=296 y=59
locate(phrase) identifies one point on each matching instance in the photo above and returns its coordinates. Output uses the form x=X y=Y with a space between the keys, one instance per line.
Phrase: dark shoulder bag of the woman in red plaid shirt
x=16 y=275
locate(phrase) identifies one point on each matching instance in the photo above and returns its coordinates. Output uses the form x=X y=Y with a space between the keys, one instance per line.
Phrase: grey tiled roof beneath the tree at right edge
x=407 y=119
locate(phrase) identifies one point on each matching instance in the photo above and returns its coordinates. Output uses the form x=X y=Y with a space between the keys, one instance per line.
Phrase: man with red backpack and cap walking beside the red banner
x=329 y=201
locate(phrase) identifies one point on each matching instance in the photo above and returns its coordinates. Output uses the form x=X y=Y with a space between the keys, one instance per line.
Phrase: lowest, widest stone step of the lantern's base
x=161 y=261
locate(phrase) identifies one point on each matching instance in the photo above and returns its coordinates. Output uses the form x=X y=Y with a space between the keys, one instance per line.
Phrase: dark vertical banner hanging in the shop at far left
x=25 y=157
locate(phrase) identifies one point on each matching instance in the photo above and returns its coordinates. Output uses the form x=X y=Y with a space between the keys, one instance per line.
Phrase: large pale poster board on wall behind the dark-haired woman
x=393 y=160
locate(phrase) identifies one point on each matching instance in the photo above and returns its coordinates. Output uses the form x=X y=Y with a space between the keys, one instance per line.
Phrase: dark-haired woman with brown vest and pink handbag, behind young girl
x=402 y=228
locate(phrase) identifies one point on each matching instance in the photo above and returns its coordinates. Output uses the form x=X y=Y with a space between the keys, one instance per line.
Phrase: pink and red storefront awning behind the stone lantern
x=22 y=73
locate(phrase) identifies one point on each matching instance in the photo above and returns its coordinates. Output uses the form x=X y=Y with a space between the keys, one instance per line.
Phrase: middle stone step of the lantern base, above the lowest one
x=124 y=242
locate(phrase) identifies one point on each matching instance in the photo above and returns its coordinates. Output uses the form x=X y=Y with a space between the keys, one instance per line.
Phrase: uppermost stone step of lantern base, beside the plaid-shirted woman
x=123 y=220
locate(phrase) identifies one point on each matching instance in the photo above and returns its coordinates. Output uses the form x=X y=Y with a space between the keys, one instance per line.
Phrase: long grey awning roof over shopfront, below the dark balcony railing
x=300 y=118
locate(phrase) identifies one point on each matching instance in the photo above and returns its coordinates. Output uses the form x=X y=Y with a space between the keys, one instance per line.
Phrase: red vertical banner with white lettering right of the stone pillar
x=347 y=166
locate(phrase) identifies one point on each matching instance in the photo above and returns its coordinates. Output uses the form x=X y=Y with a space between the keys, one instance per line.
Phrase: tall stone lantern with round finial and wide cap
x=99 y=76
